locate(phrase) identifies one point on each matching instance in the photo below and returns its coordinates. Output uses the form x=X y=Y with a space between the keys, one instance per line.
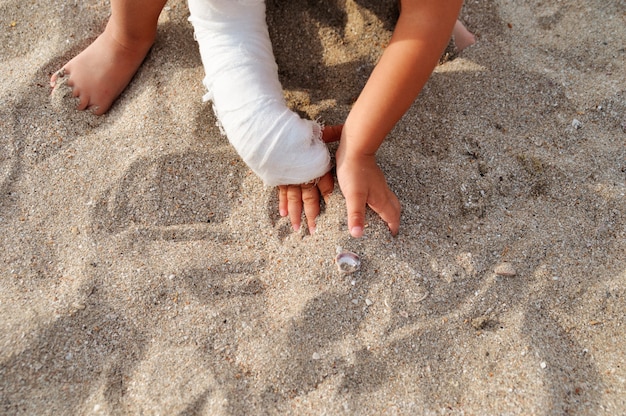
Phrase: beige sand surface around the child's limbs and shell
x=145 y=270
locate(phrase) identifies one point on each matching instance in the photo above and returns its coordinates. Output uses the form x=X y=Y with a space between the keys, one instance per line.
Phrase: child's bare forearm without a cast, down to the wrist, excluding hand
x=421 y=35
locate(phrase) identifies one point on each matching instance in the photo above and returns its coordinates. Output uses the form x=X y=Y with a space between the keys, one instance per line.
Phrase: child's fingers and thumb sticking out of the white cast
x=292 y=198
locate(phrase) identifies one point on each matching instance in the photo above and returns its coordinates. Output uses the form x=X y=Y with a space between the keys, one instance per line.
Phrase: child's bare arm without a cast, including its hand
x=421 y=34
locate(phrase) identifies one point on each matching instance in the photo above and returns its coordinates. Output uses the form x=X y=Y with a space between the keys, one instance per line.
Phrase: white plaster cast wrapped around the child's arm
x=242 y=80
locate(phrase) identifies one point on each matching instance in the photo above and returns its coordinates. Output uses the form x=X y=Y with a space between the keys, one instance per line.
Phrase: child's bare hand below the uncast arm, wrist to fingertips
x=362 y=182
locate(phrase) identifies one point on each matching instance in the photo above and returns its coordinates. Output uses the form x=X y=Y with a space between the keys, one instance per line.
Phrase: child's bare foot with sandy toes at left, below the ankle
x=100 y=73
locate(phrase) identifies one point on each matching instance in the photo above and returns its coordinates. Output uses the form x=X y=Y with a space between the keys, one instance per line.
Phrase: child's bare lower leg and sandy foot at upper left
x=100 y=73
